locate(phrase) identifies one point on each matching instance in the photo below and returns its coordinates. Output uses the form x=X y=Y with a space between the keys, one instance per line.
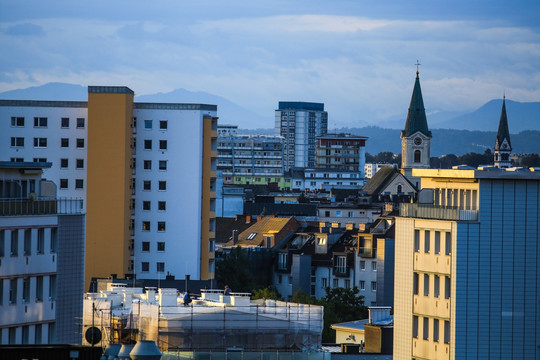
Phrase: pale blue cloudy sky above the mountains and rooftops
x=358 y=57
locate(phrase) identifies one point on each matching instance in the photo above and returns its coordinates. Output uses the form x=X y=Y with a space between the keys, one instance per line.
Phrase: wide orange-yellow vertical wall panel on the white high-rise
x=108 y=184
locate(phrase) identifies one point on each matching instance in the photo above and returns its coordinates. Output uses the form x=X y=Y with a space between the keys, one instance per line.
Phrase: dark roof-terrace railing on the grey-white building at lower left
x=51 y=206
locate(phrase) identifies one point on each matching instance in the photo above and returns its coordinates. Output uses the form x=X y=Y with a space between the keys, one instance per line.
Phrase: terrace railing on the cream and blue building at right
x=427 y=211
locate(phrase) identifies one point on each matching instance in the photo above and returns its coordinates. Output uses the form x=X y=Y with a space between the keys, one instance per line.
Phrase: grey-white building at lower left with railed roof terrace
x=41 y=258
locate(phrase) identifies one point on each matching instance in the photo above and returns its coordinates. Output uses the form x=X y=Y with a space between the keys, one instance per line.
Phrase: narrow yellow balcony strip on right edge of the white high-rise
x=208 y=193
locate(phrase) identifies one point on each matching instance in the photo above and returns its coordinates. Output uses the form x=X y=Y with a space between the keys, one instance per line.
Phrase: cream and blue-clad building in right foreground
x=466 y=266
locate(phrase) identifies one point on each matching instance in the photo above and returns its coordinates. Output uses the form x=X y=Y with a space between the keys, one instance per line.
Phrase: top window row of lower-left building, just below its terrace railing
x=27 y=237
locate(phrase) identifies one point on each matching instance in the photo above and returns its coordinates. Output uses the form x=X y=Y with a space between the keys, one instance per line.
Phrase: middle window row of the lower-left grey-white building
x=27 y=289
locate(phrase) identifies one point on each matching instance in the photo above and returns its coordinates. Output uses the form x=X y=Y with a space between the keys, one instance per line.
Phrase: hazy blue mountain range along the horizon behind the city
x=481 y=125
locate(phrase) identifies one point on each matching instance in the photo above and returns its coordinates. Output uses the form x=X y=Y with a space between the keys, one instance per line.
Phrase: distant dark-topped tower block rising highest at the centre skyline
x=300 y=123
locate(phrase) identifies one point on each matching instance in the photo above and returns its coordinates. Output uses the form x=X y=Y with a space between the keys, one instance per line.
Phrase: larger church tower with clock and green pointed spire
x=416 y=137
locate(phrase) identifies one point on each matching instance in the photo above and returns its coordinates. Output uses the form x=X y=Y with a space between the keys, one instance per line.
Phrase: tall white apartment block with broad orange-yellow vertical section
x=136 y=165
